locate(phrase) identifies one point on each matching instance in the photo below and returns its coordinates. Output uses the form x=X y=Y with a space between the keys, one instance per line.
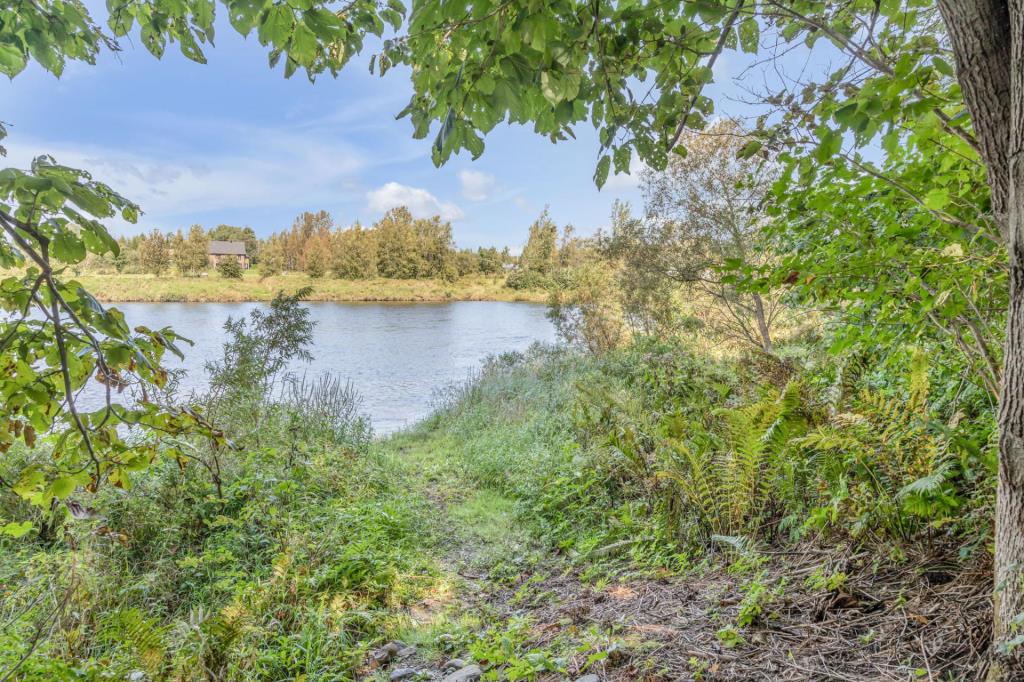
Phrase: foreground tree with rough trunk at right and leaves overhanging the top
x=561 y=64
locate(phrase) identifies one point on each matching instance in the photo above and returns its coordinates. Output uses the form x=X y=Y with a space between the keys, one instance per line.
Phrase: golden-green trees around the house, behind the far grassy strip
x=398 y=246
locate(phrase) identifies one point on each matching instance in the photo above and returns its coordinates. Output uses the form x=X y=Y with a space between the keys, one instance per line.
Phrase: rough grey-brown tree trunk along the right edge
x=988 y=38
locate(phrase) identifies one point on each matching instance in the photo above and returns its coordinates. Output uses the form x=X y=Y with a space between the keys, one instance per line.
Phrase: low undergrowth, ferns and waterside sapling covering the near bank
x=552 y=482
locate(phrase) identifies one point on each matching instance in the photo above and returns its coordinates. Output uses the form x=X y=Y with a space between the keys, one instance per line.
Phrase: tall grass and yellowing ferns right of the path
x=657 y=448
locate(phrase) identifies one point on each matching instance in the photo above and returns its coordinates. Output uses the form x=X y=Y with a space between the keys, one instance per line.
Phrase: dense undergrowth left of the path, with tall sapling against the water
x=275 y=560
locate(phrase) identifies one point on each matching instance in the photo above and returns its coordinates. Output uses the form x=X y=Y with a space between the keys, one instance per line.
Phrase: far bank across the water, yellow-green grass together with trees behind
x=399 y=259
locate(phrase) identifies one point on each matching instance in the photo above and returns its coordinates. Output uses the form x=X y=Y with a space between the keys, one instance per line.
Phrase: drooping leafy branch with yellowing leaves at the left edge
x=60 y=348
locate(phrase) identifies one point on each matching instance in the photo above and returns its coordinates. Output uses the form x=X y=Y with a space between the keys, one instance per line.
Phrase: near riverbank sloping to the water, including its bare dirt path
x=522 y=533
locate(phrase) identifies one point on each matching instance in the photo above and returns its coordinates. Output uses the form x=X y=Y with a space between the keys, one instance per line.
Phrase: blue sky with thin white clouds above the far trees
x=232 y=142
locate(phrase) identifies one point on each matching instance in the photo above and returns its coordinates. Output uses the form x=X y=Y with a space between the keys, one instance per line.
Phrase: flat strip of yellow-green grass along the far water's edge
x=147 y=288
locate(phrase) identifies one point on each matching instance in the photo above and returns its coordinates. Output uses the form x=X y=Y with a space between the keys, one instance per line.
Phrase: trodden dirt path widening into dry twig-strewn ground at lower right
x=509 y=608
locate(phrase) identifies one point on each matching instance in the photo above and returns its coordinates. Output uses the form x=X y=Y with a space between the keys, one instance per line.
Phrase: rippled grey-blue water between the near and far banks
x=396 y=355
